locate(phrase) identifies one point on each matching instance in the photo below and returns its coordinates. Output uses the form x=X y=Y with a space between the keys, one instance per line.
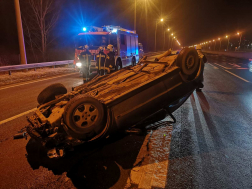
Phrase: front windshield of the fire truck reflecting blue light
x=93 y=41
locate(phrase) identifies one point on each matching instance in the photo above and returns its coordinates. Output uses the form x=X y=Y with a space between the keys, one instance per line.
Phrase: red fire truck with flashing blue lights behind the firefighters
x=124 y=41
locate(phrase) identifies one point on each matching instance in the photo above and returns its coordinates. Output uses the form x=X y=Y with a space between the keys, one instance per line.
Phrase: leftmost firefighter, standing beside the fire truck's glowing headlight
x=85 y=58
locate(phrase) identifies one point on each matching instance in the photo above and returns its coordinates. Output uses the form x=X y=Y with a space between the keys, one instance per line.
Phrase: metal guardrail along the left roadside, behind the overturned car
x=34 y=66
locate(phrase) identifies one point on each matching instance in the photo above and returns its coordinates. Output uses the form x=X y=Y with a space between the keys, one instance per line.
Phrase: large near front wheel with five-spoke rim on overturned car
x=84 y=117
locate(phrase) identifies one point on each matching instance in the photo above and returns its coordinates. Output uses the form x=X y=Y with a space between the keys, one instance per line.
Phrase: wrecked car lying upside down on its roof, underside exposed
x=116 y=101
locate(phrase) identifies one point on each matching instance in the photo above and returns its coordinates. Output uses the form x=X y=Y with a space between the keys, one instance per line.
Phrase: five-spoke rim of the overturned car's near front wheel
x=85 y=115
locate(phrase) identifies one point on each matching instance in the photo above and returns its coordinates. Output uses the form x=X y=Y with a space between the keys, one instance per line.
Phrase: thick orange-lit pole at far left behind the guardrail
x=20 y=33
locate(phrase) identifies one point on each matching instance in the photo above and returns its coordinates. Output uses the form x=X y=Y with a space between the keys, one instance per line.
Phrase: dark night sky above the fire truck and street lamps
x=192 y=21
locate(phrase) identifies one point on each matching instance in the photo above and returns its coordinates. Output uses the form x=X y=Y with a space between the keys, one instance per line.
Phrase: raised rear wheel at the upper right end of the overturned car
x=188 y=61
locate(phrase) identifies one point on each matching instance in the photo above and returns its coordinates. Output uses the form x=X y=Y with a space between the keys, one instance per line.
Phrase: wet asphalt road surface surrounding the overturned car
x=210 y=147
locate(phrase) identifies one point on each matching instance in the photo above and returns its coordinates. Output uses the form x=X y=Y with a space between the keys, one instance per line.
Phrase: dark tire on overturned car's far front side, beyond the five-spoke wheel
x=49 y=93
